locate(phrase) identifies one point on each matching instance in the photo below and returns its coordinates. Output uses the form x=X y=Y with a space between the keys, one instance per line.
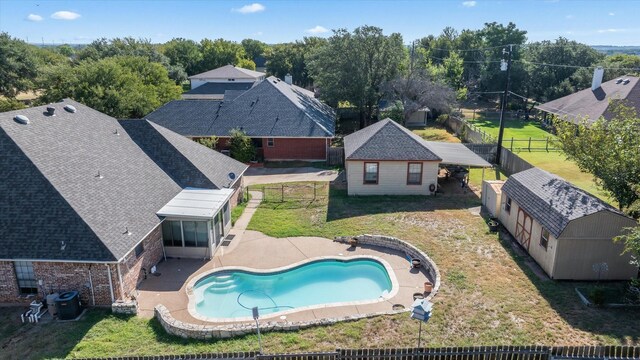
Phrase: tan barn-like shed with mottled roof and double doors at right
x=566 y=230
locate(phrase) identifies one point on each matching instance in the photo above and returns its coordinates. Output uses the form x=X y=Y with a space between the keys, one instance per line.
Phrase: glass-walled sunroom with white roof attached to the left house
x=195 y=222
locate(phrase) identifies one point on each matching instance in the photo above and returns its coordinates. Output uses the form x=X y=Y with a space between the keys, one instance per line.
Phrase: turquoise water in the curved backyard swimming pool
x=232 y=293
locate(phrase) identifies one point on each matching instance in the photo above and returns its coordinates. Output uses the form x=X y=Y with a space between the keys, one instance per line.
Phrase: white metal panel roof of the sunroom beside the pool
x=196 y=203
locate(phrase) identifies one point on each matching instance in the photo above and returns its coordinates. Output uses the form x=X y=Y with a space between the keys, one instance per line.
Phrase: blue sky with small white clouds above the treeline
x=603 y=22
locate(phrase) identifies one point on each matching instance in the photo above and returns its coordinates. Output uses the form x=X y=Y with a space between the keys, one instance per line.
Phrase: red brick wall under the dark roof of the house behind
x=296 y=149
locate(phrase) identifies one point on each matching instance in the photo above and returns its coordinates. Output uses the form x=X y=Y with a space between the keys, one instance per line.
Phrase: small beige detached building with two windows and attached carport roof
x=388 y=159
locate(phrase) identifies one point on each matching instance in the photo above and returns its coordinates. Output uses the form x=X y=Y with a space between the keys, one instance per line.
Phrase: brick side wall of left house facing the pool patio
x=132 y=265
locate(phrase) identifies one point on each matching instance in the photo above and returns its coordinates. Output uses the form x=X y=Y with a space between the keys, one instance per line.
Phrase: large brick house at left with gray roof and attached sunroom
x=88 y=202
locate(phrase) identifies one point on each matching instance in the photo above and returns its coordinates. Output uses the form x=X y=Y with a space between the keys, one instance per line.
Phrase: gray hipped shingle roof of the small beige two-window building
x=387 y=140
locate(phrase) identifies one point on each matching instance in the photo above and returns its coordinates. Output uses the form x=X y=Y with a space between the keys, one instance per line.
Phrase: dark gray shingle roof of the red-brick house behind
x=272 y=108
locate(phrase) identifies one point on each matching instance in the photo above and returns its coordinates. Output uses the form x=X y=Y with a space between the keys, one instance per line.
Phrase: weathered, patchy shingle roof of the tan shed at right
x=551 y=200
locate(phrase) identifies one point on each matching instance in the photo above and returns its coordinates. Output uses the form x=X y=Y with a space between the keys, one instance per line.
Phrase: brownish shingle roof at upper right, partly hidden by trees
x=594 y=103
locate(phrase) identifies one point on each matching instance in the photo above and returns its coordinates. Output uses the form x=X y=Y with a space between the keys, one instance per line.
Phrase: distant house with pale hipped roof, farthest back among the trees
x=213 y=84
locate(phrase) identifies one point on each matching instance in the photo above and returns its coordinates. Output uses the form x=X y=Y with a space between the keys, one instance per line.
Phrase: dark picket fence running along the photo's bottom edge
x=446 y=353
